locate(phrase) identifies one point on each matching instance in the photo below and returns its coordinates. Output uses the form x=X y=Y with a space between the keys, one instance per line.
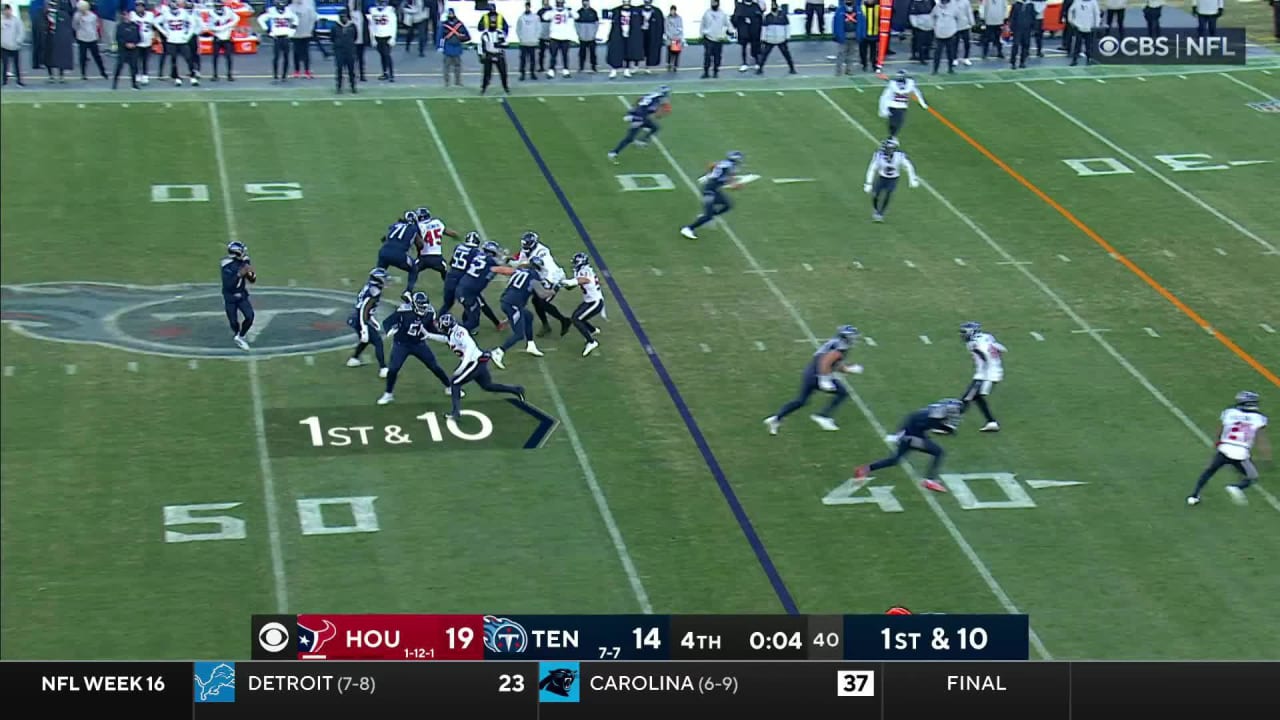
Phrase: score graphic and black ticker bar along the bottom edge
x=894 y=667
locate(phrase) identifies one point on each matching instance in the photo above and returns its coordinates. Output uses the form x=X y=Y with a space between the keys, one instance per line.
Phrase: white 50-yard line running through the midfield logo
x=255 y=391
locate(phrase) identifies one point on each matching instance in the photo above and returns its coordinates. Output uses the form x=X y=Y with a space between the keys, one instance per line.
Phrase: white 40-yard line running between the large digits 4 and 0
x=984 y=571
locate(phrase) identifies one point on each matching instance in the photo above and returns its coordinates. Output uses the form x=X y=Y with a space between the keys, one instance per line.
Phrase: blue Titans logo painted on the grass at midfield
x=177 y=321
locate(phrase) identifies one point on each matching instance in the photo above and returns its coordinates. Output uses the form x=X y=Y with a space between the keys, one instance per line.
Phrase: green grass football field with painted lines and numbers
x=1119 y=234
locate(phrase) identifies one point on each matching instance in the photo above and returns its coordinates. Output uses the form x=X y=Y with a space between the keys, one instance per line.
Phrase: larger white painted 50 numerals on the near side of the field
x=317 y=517
